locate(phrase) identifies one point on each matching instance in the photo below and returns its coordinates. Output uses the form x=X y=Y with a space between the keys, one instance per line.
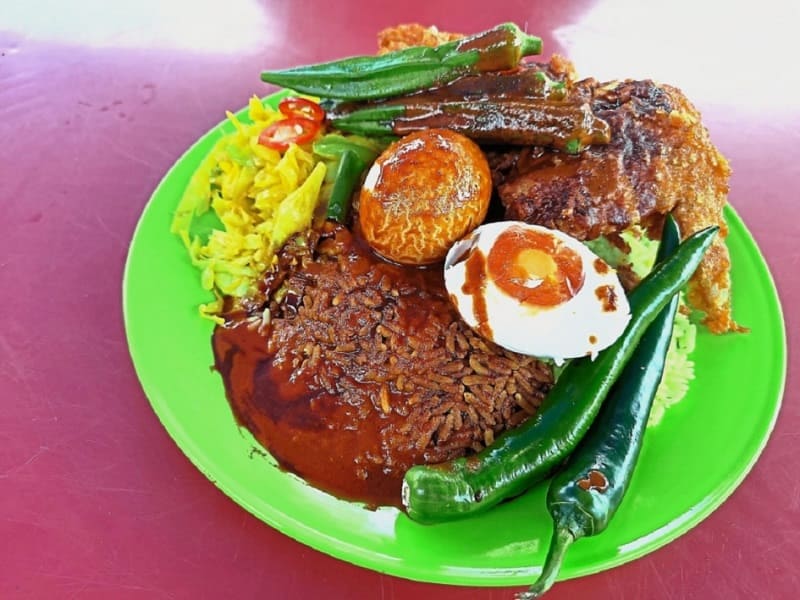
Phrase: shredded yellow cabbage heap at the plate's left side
x=260 y=198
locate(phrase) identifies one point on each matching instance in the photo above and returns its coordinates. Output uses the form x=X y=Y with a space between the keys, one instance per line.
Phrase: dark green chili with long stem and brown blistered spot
x=585 y=494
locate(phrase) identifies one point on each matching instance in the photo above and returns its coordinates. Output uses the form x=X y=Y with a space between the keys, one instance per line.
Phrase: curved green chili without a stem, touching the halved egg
x=527 y=454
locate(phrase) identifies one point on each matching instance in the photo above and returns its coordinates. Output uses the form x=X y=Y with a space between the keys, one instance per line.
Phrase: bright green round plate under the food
x=690 y=463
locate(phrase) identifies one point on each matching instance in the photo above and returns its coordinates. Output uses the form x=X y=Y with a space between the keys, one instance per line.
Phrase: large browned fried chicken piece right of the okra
x=660 y=159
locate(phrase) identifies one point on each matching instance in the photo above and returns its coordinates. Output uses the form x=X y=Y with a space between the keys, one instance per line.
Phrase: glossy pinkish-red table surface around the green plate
x=97 y=100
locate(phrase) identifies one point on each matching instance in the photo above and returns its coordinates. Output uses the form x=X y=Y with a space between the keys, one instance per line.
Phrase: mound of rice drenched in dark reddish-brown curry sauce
x=365 y=369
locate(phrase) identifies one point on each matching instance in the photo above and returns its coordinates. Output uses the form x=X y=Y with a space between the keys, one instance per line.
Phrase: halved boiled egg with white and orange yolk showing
x=536 y=291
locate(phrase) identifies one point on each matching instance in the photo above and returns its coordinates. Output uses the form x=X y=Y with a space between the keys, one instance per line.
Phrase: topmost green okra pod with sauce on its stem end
x=403 y=71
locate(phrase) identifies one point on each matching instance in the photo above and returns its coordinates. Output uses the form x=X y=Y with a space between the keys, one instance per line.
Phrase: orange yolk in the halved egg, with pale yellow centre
x=535 y=268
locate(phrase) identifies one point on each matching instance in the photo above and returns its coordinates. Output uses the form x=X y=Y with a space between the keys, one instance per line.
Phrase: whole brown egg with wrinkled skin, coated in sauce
x=425 y=191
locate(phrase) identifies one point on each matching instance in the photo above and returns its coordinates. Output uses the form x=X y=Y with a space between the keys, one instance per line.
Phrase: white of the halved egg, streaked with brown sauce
x=580 y=326
